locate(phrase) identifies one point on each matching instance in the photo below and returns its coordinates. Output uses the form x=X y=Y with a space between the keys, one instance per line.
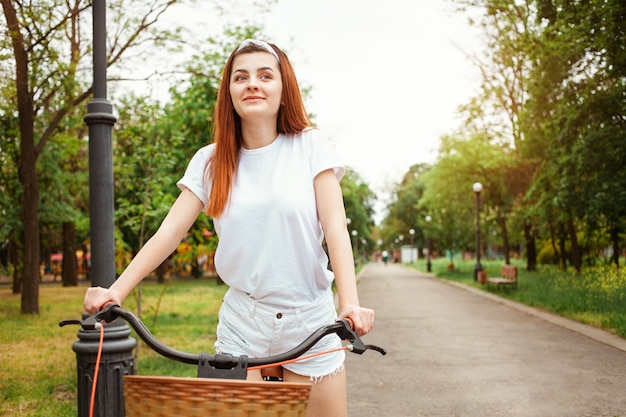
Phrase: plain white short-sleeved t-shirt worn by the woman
x=270 y=238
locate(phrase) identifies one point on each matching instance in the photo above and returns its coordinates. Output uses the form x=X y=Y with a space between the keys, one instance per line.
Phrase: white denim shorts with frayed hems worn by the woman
x=248 y=327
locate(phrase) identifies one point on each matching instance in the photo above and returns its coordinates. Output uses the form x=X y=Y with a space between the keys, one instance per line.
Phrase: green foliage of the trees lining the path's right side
x=543 y=135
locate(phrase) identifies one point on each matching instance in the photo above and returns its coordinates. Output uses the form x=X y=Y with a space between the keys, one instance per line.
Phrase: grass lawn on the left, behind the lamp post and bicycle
x=38 y=365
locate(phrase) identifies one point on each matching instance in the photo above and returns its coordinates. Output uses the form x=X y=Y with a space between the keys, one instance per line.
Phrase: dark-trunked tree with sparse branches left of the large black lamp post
x=48 y=47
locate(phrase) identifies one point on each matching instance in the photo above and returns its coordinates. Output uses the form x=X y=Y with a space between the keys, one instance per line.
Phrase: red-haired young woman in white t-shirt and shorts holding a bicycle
x=271 y=183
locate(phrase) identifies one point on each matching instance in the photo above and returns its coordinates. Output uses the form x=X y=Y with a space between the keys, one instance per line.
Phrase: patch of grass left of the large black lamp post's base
x=37 y=364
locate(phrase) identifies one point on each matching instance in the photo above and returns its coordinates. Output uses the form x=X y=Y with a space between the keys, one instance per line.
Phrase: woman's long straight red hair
x=292 y=118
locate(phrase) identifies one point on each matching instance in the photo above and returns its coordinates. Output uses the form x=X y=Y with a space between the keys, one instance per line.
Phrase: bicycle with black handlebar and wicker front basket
x=221 y=388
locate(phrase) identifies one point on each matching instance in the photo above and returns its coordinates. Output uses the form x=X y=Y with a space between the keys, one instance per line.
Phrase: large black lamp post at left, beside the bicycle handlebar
x=117 y=357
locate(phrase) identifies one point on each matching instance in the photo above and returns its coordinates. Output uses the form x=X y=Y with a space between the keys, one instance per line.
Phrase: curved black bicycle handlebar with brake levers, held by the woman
x=222 y=361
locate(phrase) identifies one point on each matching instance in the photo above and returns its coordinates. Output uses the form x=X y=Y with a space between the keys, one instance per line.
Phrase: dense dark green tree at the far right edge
x=575 y=115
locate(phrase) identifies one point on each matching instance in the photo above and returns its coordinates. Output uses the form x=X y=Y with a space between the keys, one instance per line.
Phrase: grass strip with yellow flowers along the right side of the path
x=596 y=297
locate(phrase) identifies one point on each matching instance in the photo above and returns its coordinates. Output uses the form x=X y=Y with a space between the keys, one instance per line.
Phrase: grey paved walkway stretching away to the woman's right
x=455 y=351
